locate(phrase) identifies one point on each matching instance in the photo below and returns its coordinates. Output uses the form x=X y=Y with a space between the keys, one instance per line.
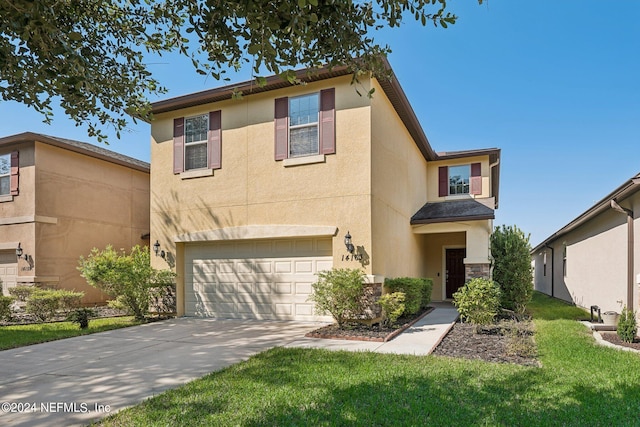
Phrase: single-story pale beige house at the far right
x=586 y=262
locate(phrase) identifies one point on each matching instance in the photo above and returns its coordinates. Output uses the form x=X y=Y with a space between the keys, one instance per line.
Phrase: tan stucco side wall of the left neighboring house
x=85 y=203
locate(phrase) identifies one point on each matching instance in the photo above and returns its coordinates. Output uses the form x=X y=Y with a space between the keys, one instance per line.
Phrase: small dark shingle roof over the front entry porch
x=451 y=211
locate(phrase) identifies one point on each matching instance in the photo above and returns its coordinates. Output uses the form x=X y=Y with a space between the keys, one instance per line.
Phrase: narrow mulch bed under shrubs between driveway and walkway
x=361 y=332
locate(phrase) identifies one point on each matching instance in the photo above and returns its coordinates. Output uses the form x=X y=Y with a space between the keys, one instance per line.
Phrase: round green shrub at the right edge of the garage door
x=339 y=292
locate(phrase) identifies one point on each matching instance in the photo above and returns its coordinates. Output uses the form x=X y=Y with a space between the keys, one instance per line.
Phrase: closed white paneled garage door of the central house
x=261 y=279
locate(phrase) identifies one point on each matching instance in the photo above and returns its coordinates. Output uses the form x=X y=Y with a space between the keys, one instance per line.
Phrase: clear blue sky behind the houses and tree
x=554 y=83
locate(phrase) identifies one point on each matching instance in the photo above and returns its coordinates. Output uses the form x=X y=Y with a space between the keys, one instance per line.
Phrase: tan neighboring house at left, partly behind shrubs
x=59 y=199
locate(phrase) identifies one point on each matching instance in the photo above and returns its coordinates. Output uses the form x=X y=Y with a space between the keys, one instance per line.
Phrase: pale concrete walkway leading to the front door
x=420 y=339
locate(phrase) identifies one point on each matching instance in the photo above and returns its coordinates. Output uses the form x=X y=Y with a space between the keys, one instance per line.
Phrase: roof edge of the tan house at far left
x=78 y=147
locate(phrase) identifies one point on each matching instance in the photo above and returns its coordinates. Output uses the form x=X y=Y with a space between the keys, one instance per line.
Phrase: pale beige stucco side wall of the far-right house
x=596 y=271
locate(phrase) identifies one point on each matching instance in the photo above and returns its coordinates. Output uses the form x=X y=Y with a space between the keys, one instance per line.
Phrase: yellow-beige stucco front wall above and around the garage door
x=252 y=188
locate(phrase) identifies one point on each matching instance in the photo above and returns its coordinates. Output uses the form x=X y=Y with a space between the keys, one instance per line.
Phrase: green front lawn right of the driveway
x=578 y=384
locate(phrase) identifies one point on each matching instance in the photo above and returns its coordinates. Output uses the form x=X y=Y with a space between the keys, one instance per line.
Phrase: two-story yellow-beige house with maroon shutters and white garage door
x=251 y=197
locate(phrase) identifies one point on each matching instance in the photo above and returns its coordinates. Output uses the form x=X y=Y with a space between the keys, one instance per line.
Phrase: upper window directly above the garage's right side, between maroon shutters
x=303 y=125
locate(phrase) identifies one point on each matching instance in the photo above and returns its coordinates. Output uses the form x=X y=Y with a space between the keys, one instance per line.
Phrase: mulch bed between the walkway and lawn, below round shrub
x=508 y=341
